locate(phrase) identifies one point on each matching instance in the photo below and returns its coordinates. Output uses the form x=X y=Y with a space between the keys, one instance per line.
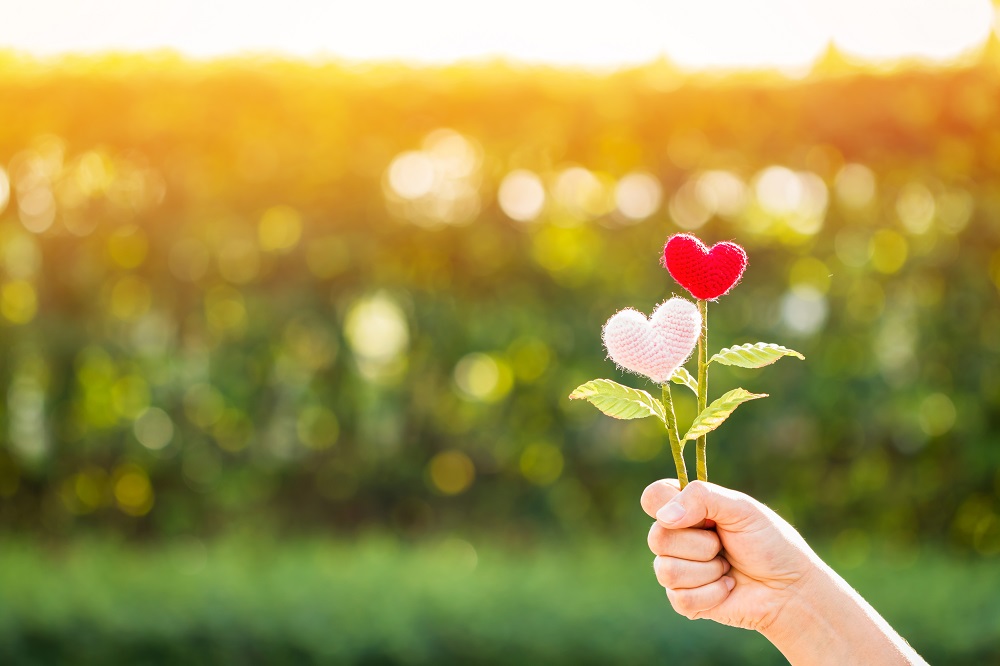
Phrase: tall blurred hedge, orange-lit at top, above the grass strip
x=261 y=296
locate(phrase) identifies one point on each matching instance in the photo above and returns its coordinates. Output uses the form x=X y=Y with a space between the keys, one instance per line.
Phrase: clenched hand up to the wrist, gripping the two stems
x=741 y=574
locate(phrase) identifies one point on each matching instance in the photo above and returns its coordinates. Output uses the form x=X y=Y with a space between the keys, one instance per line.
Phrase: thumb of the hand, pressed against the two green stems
x=701 y=501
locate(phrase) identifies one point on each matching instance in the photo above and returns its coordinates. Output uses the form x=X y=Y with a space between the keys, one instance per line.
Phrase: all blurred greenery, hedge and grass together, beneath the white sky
x=286 y=351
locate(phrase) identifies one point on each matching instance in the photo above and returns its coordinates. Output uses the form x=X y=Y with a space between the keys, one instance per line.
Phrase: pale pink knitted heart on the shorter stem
x=657 y=346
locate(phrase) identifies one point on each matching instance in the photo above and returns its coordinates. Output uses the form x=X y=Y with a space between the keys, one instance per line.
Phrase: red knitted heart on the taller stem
x=707 y=274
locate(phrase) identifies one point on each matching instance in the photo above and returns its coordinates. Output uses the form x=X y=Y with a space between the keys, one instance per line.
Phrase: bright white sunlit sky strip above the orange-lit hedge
x=694 y=34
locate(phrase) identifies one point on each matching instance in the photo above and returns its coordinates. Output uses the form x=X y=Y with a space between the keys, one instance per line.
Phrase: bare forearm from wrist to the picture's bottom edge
x=829 y=623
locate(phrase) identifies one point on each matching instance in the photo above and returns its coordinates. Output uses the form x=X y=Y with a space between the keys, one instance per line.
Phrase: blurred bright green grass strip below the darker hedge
x=381 y=601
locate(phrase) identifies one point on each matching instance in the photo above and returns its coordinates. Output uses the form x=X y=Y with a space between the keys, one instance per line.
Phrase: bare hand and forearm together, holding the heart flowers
x=754 y=571
